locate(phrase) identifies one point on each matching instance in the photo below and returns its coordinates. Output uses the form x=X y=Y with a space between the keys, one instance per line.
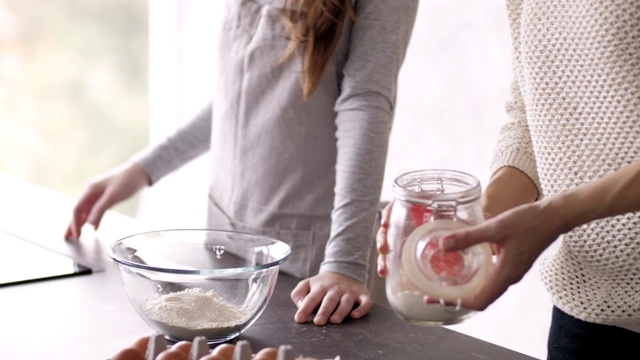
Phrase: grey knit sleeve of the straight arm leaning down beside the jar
x=379 y=39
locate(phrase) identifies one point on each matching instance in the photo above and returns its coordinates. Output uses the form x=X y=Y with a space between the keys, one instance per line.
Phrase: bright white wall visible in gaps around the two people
x=452 y=93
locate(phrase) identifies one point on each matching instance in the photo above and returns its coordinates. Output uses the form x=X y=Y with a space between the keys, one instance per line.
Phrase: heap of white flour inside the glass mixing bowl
x=194 y=312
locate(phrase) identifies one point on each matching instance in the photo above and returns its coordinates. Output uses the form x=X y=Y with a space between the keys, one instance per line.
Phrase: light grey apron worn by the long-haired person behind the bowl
x=273 y=155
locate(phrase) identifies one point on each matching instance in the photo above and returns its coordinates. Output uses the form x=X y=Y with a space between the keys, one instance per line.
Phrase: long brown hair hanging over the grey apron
x=315 y=27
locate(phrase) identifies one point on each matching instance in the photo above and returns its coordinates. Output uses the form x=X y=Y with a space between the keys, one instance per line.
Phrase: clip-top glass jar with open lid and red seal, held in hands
x=428 y=205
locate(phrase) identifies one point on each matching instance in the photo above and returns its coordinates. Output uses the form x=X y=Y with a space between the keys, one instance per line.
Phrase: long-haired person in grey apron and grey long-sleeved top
x=298 y=131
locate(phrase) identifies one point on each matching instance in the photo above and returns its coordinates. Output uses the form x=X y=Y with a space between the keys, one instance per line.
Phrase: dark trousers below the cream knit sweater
x=574 y=339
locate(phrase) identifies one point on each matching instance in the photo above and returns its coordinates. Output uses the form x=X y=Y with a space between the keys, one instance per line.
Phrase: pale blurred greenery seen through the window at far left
x=73 y=89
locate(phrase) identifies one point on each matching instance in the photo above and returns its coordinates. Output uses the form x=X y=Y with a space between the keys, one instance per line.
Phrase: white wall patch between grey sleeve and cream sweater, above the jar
x=453 y=87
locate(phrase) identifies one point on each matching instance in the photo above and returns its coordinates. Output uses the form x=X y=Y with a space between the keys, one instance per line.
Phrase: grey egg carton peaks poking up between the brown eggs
x=200 y=347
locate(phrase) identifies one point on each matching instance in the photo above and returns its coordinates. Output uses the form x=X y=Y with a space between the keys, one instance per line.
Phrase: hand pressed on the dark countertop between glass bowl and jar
x=334 y=295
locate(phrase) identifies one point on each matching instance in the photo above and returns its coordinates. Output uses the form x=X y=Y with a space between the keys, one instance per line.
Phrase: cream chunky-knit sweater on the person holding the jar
x=575 y=117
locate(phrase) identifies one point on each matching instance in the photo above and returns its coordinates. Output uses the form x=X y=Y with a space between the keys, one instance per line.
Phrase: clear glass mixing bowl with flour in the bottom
x=186 y=283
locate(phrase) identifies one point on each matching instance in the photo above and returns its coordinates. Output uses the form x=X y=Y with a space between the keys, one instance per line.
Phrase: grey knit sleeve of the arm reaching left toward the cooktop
x=184 y=145
